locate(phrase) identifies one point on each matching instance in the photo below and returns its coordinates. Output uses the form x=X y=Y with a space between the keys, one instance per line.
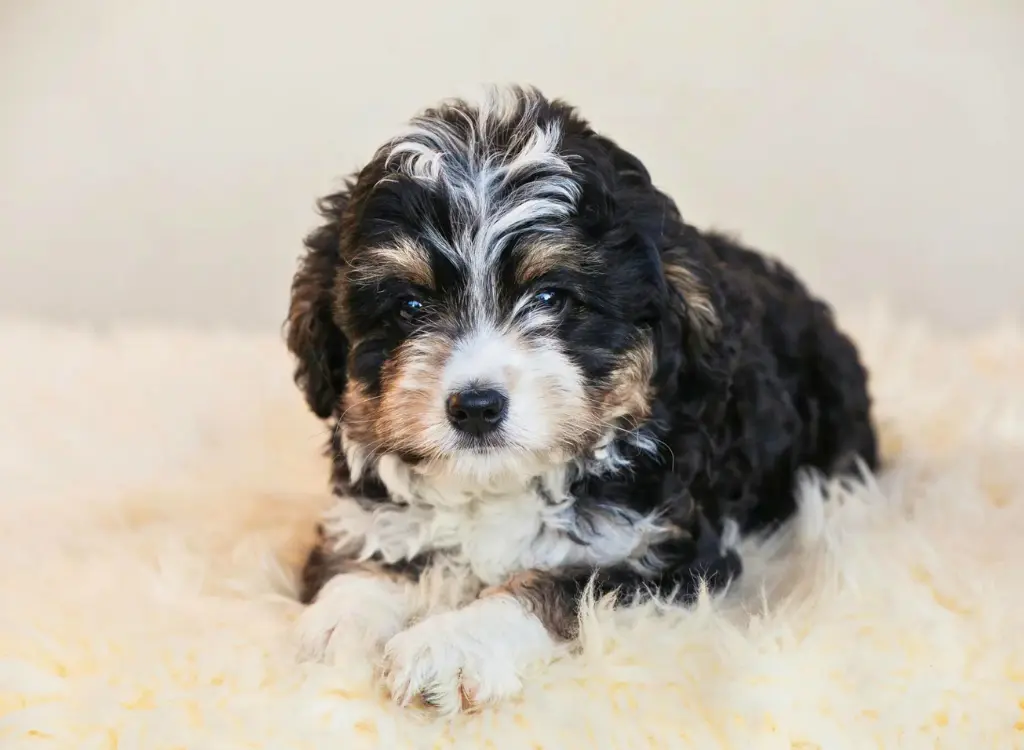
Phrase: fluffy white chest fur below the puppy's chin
x=491 y=534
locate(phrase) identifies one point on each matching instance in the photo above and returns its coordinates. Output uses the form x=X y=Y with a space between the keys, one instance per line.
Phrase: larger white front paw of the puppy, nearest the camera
x=457 y=660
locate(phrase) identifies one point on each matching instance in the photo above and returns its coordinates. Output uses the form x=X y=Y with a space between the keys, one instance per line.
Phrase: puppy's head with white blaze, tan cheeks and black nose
x=492 y=294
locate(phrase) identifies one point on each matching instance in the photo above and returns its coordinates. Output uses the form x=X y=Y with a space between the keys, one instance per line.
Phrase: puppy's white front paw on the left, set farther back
x=355 y=612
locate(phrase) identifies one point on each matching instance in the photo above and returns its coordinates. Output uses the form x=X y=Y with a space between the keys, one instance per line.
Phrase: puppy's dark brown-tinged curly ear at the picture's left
x=313 y=334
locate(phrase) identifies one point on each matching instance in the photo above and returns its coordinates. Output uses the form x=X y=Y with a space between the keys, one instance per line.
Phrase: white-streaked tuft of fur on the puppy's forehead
x=498 y=165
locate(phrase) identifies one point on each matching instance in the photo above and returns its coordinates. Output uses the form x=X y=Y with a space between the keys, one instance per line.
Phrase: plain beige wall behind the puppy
x=159 y=159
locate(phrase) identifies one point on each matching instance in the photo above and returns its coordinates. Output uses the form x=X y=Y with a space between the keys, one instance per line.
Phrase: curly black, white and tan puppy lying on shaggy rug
x=538 y=377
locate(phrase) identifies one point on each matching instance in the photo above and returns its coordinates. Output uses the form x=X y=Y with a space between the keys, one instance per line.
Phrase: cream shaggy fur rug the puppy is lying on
x=159 y=489
